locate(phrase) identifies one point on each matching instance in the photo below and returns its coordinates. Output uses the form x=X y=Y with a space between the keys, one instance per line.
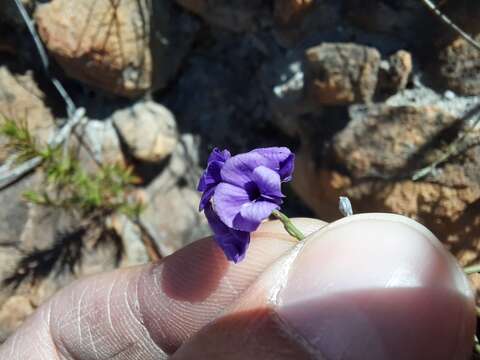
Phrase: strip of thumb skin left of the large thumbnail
x=250 y=328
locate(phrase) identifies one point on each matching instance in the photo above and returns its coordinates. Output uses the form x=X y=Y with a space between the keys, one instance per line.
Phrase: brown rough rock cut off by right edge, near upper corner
x=459 y=67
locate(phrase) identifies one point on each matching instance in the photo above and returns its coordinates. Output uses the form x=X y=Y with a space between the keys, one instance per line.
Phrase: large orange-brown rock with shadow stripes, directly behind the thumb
x=375 y=156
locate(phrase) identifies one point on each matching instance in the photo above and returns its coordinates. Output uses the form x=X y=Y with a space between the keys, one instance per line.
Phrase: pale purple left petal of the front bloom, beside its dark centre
x=228 y=200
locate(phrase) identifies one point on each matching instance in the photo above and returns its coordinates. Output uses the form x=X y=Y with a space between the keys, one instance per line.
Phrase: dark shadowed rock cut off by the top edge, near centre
x=236 y=15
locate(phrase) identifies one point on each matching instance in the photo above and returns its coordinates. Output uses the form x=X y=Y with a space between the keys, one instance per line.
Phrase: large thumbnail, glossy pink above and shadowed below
x=378 y=286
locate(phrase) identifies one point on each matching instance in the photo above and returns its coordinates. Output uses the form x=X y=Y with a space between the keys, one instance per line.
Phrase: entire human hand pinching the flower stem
x=333 y=297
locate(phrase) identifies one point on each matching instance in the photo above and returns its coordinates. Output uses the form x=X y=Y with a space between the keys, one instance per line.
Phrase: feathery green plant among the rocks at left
x=67 y=184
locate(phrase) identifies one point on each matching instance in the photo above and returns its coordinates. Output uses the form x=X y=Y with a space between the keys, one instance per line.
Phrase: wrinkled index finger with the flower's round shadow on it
x=147 y=312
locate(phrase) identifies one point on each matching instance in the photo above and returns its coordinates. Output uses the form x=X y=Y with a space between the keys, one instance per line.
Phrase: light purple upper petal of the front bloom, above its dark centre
x=237 y=170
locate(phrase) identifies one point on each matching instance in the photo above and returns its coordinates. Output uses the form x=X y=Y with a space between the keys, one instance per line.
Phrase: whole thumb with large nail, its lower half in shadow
x=373 y=286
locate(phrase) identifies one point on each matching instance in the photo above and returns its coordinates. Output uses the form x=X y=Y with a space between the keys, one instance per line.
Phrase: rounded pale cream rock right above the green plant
x=148 y=129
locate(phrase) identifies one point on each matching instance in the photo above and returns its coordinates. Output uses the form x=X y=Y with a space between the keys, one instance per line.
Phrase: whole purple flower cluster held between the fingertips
x=240 y=192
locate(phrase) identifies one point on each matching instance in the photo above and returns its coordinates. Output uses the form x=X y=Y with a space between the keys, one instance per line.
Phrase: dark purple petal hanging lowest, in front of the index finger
x=234 y=243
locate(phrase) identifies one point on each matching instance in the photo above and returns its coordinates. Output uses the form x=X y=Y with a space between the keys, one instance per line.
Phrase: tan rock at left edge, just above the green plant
x=21 y=100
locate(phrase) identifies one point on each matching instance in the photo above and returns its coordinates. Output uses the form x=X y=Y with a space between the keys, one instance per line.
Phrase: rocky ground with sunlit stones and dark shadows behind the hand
x=367 y=92
